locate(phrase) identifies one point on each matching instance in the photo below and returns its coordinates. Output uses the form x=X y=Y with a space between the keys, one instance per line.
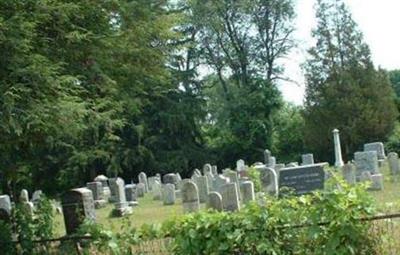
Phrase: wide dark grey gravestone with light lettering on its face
x=303 y=179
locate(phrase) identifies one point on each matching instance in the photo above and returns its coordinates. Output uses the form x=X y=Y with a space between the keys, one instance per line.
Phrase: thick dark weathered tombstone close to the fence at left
x=77 y=206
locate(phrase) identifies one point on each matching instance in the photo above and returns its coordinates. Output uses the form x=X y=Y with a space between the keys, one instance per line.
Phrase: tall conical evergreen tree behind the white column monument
x=343 y=89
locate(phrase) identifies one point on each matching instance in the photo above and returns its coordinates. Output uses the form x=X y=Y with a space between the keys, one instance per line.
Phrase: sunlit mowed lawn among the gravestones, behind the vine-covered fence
x=153 y=211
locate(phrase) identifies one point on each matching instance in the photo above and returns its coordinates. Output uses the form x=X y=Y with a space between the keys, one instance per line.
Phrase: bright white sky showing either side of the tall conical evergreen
x=379 y=20
